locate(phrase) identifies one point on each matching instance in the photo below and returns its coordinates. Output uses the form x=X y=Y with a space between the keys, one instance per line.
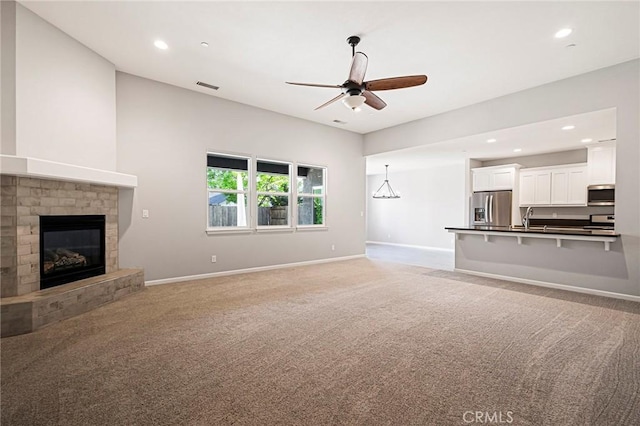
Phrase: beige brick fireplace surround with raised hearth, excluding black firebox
x=24 y=200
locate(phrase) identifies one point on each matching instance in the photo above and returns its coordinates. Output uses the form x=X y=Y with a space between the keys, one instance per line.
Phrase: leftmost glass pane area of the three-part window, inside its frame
x=227 y=191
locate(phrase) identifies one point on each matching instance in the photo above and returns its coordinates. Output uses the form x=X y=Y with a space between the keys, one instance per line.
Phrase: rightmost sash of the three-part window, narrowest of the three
x=311 y=195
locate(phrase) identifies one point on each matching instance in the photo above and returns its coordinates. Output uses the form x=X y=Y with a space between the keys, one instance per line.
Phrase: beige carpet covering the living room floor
x=358 y=342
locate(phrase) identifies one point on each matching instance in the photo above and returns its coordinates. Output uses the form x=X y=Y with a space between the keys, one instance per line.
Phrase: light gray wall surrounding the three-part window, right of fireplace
x=164 y=133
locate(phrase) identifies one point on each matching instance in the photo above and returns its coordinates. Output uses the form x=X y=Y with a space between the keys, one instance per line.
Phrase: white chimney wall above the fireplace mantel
x=65 y=97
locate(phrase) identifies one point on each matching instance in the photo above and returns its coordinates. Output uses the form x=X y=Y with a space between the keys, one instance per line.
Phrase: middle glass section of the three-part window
x=273 y=185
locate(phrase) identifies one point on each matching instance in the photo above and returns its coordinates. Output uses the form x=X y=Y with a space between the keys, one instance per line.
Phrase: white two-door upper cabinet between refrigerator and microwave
x=564 y=185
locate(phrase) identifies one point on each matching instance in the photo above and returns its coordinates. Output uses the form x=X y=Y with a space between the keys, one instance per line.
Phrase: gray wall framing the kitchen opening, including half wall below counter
x=617 y=86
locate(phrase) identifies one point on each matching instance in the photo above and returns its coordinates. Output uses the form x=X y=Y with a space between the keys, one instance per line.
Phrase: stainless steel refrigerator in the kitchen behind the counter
x=491 y=208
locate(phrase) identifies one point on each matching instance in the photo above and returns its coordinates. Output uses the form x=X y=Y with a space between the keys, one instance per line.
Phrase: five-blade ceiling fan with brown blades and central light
x=356 y=91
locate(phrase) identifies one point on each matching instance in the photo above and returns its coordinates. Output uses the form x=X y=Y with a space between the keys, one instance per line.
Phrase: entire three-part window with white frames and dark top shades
x=245 y=194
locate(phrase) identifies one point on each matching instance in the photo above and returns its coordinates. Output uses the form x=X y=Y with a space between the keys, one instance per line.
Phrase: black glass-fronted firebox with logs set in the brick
x=71 y=248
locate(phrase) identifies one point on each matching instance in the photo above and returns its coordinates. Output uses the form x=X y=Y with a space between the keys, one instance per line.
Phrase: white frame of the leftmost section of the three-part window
x=247 y=193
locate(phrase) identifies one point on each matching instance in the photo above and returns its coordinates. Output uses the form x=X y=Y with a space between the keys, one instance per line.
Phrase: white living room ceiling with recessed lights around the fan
x=471 y=51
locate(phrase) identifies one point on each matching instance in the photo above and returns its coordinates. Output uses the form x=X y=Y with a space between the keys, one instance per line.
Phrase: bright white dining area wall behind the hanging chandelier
x=430 y=200
